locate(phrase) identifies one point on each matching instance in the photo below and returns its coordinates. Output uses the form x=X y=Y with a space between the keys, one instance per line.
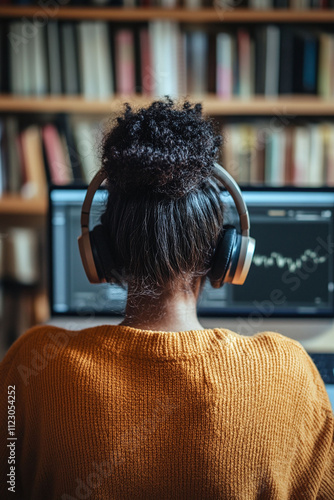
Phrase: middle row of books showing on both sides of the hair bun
x=254 y=153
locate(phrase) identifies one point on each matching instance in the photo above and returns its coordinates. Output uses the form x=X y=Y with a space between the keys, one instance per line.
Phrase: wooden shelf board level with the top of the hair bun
x=212 y=105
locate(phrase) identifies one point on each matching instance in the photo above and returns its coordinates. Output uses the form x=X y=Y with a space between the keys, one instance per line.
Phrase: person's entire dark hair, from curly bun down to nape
x=164 y=213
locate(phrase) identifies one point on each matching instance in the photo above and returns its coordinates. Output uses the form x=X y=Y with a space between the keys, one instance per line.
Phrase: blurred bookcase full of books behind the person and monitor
x=264 y=69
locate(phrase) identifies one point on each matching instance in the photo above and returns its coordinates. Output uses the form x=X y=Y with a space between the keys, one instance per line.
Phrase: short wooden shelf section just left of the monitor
x=16 y=205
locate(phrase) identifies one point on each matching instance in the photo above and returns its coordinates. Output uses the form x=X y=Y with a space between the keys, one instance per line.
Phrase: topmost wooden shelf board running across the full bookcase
x=215 y=14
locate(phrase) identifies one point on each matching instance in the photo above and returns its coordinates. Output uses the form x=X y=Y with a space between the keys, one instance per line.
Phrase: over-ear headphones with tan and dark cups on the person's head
x=231 y=260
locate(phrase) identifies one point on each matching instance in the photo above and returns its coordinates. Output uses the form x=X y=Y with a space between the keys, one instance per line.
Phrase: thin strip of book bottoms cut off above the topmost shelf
x=192 y=4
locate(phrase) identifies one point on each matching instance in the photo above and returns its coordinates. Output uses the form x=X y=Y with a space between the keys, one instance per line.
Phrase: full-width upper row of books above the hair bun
x=96 y=59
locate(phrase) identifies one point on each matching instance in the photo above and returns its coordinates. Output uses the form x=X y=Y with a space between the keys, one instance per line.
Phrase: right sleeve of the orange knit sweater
x=314 y=453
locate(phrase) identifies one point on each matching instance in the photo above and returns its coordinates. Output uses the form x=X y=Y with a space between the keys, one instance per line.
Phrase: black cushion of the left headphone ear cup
x=102 y=254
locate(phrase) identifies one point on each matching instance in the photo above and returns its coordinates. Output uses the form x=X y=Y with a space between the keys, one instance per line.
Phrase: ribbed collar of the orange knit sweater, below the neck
x=134 y=342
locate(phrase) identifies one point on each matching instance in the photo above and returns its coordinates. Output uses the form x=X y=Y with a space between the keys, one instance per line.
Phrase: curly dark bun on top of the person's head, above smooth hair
x=161 y=149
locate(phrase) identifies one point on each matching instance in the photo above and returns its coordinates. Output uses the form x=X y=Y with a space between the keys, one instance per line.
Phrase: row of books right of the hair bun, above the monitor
x=263 y=153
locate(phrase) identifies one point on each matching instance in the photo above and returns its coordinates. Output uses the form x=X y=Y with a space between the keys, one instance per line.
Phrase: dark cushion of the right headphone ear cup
x=223 y=255
